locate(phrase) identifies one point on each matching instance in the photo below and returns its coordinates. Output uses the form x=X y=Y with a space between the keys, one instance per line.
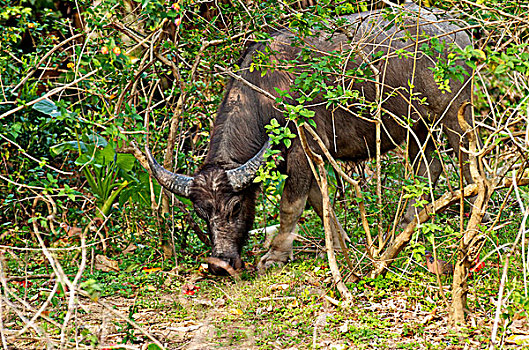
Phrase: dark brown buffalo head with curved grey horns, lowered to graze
x=224 y=199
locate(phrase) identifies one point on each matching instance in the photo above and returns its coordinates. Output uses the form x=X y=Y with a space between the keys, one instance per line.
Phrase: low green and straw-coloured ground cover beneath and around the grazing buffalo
x=136 y=292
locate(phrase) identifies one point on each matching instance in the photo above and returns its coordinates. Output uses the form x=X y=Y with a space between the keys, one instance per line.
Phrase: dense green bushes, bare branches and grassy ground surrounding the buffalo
x=93 y=253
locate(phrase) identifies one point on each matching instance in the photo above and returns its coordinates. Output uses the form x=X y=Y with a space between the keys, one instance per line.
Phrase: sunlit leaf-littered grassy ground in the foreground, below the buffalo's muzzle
x=295 y=307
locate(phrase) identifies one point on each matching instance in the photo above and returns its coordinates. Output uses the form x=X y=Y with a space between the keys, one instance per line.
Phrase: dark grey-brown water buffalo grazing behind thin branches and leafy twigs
x=223 y=192
